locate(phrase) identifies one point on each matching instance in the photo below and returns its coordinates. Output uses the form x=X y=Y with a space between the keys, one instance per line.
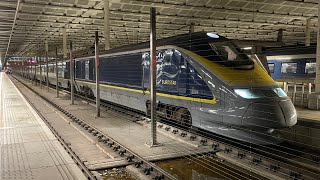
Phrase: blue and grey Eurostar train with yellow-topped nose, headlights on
x=203 y=79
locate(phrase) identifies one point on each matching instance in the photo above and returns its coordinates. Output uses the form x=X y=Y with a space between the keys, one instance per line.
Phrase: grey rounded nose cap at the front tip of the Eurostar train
x=289 y=112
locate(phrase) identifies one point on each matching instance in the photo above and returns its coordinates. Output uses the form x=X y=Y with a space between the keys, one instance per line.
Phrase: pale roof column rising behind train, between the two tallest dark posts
x=106 y=25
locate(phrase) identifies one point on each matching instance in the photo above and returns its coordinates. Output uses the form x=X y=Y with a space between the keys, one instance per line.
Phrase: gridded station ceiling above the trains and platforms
x=24 y=32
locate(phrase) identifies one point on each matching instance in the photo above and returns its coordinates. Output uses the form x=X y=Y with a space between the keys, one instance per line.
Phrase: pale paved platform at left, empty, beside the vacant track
x=28 y=149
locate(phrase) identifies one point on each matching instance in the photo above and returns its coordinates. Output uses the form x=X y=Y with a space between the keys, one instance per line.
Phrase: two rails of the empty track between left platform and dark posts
x=148 y=168
